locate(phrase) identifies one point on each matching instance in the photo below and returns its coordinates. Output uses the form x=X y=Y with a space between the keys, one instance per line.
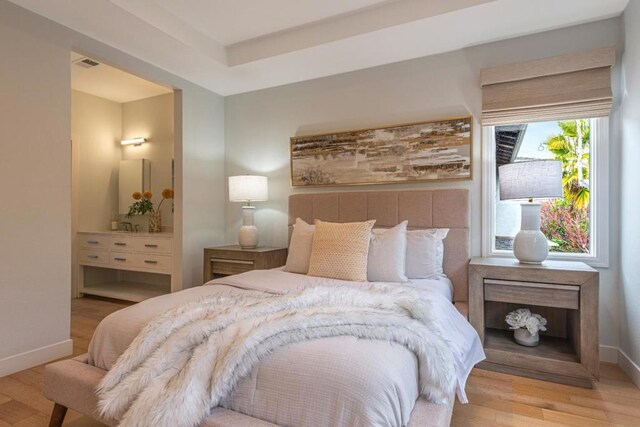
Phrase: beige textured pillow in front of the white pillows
x=340 y=251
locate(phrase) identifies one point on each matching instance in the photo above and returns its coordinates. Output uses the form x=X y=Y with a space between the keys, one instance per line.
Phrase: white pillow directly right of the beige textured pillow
x=387 y=254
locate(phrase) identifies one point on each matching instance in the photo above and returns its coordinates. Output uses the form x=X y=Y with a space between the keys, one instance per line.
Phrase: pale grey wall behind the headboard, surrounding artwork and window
x=259 y=124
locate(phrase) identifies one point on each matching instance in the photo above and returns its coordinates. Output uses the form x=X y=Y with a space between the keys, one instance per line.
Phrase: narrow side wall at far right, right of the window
x=630 y=202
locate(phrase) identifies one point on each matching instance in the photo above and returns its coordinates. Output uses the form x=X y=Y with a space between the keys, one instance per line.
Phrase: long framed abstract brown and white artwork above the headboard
x=428 y=151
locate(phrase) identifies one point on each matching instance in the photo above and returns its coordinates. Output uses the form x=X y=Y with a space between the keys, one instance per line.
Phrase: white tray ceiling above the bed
x=234 y=46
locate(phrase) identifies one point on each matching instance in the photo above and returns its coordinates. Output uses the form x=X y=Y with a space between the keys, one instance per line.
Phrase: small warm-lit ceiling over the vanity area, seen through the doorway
x=110 y=83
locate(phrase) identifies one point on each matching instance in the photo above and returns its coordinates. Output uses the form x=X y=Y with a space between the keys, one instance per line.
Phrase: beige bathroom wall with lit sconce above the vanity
x=152 y=118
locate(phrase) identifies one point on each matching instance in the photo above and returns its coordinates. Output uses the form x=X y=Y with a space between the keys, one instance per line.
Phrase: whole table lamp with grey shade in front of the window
x=539 y=179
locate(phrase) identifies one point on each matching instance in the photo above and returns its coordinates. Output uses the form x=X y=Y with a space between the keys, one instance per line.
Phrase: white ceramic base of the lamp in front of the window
x=530 y=245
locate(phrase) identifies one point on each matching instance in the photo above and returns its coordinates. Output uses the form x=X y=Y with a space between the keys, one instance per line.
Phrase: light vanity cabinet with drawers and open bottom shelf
x=126 y=266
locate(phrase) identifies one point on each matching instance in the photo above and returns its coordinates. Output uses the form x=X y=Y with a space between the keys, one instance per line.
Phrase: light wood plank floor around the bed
x=496 y=399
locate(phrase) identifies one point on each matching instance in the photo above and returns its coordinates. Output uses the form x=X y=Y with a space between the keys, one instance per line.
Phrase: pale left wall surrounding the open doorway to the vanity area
x=35 y=168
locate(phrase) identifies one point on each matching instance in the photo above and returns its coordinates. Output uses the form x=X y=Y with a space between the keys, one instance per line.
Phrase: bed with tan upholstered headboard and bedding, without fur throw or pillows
x=72 y=383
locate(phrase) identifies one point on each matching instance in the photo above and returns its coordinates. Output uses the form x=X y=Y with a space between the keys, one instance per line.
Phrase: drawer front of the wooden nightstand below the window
x=528 y=293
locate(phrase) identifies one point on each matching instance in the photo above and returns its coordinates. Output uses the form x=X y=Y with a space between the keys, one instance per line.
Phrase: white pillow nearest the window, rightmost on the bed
x=425 y=253
